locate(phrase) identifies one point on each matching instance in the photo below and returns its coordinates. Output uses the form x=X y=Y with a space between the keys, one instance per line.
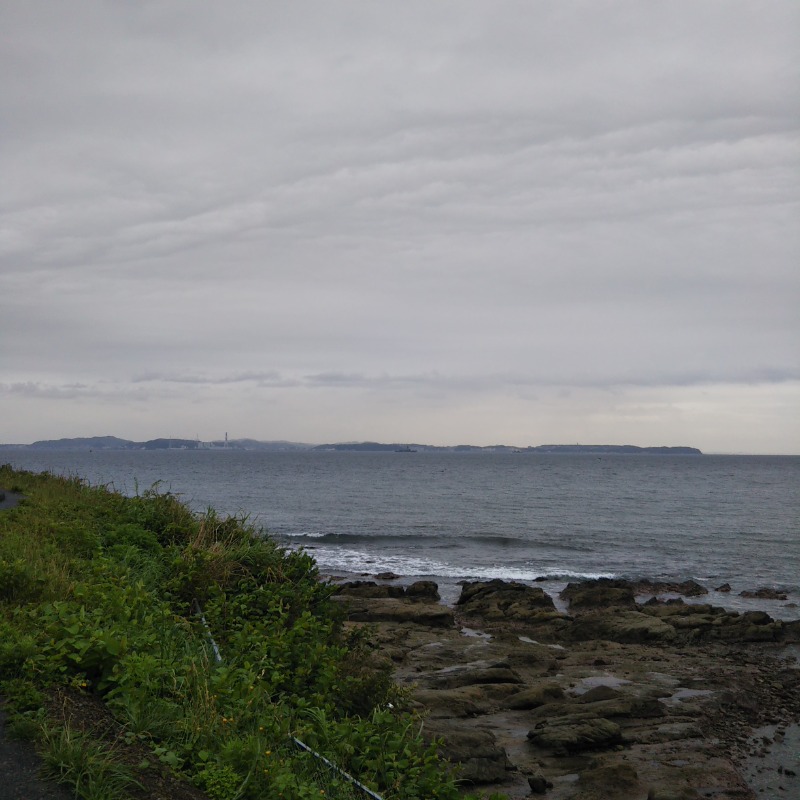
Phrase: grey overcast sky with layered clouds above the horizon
x=446 y=222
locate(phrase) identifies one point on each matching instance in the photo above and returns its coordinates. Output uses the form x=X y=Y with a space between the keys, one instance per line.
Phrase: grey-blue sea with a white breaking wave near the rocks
x=538 y=518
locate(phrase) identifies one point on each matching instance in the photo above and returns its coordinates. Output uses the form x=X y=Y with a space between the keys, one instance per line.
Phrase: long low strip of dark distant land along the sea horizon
x=115 y=443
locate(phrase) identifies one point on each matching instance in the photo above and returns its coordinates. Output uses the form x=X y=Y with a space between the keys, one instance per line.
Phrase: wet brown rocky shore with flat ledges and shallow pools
x=616 y=698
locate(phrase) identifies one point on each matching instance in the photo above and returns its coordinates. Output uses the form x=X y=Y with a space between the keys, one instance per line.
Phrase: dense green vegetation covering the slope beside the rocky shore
x=106 y=660
